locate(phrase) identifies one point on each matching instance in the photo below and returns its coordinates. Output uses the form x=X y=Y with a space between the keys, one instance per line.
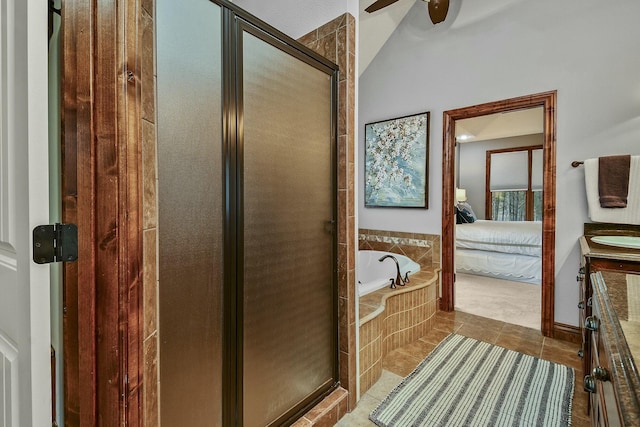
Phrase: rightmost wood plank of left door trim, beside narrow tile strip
x=131 y=251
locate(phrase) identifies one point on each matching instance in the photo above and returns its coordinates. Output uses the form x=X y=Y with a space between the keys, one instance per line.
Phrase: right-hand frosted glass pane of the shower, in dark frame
x=289 y=317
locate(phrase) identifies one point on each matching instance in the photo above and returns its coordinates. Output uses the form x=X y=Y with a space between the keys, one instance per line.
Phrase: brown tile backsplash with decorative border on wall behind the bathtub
x=422 y=248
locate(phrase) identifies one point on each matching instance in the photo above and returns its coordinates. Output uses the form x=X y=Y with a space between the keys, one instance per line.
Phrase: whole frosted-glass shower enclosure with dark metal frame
x=246 y=121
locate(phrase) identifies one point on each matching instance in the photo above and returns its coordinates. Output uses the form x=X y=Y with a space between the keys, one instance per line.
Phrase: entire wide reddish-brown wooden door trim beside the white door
x=102 y=195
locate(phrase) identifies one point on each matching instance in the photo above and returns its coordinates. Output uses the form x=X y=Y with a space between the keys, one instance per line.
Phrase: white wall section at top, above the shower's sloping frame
x=296 y=18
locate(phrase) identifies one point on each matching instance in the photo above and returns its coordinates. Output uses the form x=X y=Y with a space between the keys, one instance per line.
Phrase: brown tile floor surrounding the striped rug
x=402 y=361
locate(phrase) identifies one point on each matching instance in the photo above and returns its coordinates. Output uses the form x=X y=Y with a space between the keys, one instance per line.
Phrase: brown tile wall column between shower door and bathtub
x=336 y=40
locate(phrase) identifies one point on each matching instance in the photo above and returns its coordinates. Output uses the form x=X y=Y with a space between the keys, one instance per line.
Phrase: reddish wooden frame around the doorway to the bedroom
x=548 y=101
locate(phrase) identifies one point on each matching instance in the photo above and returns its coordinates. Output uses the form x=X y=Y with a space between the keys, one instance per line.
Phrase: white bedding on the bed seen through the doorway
x=511 y=237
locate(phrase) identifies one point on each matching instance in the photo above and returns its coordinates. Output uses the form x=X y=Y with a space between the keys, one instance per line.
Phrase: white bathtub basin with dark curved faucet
x=373 y=274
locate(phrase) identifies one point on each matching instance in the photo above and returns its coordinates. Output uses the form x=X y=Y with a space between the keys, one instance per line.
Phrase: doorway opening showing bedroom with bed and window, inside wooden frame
x=498 y=255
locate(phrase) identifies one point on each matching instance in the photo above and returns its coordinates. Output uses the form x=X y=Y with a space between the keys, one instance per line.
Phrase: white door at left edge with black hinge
x=25 y=374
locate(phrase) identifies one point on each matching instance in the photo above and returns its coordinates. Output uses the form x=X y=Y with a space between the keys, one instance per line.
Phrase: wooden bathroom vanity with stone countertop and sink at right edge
x=610 y=324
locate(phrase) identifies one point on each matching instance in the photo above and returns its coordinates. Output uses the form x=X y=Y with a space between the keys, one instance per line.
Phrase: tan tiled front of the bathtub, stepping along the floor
x=391 y=318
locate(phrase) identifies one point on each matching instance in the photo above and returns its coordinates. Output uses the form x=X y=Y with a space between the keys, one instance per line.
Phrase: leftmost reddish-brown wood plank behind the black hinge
x=77 y=185
